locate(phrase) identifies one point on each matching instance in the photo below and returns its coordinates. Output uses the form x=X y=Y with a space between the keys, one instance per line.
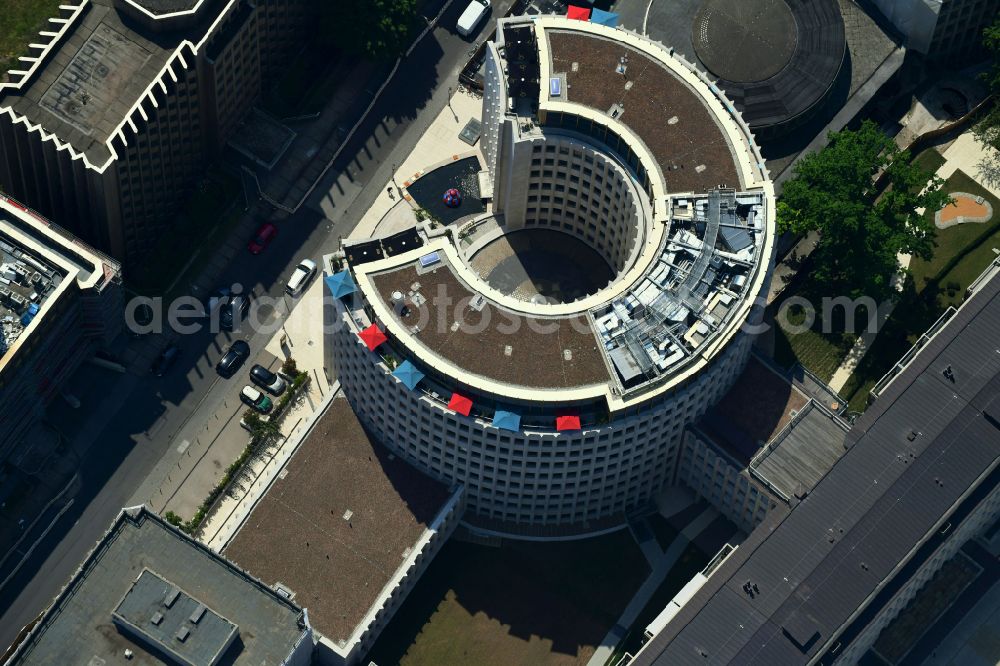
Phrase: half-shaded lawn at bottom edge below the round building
x=522 y=603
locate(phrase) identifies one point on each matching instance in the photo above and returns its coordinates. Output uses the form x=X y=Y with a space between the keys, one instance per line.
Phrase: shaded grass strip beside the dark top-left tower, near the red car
x=202 y=224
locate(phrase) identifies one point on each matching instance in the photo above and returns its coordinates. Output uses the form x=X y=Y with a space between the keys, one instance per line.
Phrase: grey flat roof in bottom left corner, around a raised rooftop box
x=78 y=626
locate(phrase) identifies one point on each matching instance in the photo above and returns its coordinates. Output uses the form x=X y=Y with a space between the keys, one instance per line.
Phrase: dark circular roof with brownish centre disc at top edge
x=776 y=59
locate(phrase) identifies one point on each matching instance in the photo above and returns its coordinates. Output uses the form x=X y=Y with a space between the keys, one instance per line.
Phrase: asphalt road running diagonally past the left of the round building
x=120 y=456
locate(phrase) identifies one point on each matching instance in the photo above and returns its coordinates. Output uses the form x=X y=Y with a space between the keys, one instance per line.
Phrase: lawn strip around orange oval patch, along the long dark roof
x=961 y=254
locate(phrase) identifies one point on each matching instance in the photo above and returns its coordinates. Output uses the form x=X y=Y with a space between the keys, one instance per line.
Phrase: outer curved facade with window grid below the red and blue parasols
x=533 y=477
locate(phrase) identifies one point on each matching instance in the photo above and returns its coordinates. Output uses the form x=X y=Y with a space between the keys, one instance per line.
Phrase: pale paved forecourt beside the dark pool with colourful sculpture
x=438 y=144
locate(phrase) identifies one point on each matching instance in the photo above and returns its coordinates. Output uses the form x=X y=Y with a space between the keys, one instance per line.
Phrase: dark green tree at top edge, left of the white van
x=379 y=29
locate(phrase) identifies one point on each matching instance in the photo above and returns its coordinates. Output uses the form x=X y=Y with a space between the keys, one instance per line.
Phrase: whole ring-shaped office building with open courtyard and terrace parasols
x=548 y=354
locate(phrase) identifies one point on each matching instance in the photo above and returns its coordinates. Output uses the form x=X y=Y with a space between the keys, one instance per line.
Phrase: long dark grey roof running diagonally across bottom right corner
x=924 y=453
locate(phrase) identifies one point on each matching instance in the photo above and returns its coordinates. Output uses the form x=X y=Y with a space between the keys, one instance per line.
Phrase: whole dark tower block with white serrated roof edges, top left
x=109 y=120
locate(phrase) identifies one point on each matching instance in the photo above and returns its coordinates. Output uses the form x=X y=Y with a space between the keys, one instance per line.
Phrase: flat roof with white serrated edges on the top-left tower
x=93 y=80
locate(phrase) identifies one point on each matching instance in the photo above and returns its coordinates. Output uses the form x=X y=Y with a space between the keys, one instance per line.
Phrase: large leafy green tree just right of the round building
x=861 y=231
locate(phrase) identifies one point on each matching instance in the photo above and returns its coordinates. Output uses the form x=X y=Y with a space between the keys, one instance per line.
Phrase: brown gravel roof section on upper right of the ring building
x=670 y=118
